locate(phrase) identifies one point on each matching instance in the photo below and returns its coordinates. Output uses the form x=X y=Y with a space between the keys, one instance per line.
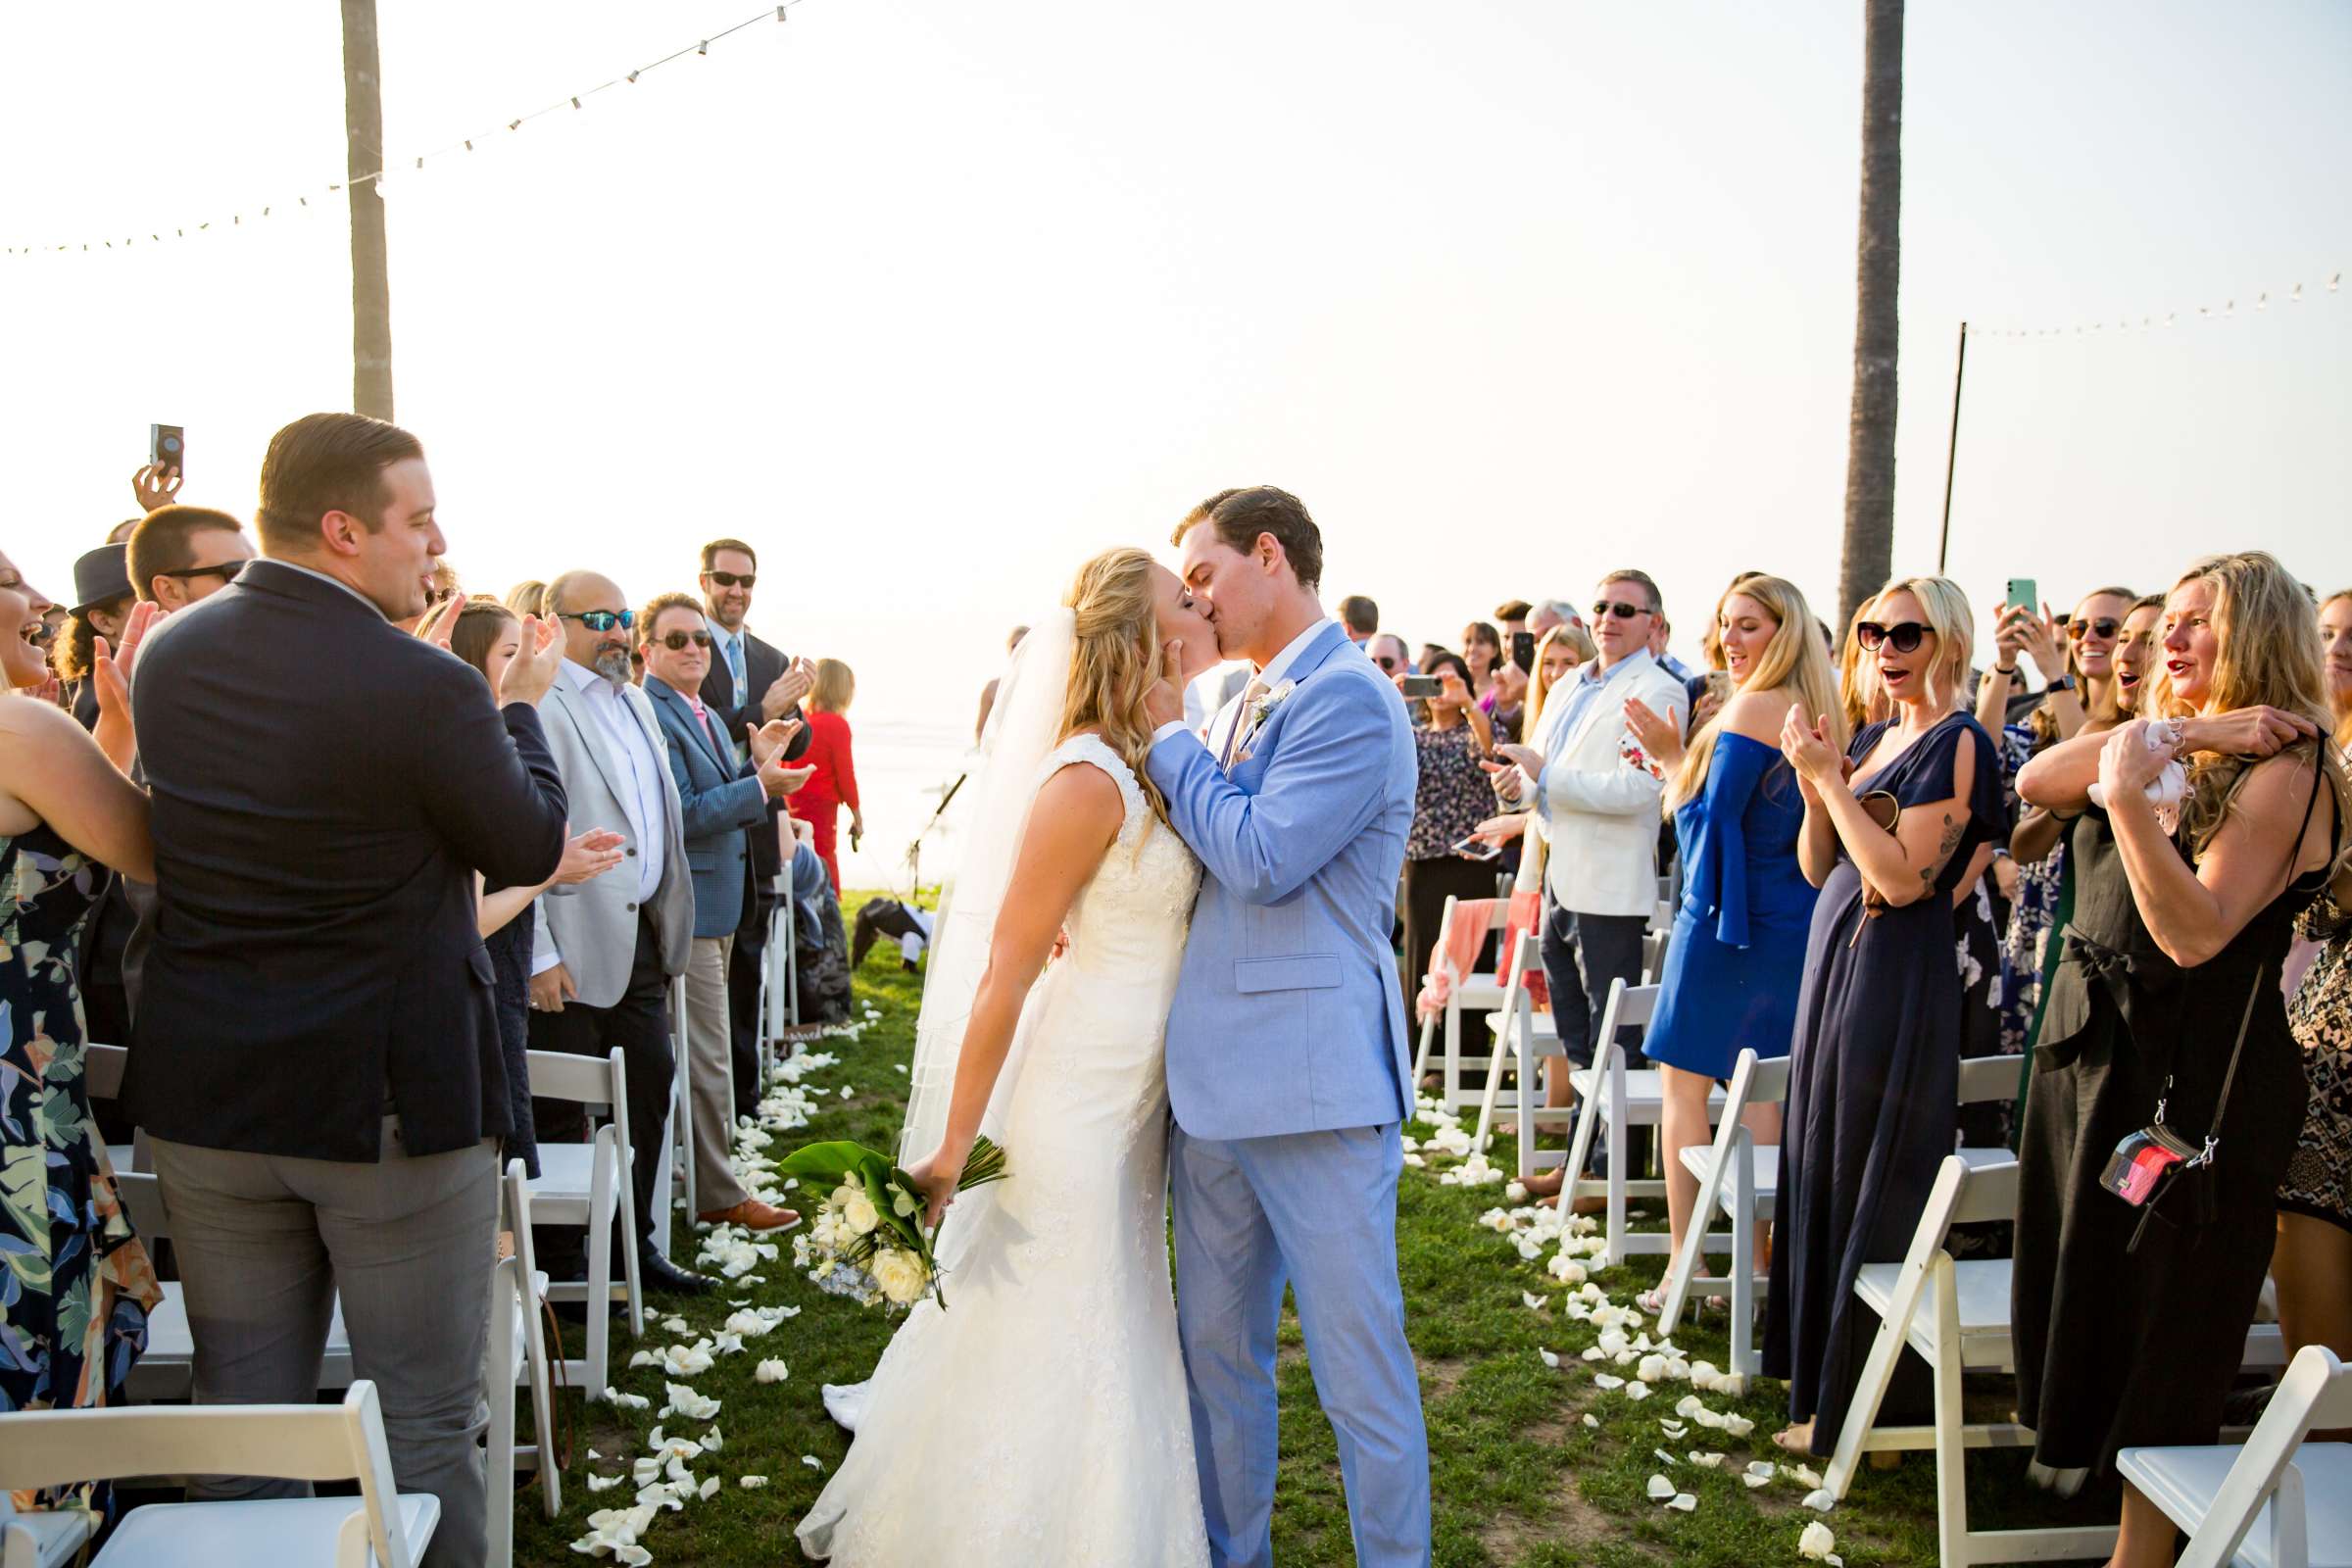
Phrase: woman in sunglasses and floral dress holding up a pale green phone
x=2085 y=699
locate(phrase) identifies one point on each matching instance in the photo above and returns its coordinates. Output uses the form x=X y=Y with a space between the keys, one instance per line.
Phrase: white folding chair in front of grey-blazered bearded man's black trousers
x=587 y=1184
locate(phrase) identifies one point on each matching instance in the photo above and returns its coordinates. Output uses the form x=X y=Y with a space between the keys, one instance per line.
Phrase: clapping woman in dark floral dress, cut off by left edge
x=79 y=1282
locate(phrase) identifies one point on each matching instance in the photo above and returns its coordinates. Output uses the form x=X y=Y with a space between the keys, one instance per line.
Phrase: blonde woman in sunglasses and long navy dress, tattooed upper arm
x=1890 y=838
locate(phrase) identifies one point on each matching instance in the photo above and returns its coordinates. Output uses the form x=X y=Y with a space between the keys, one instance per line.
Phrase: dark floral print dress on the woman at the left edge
x=76 y=1285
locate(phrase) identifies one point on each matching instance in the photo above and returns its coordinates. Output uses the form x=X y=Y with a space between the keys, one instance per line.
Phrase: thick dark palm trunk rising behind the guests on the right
x=1871 y=424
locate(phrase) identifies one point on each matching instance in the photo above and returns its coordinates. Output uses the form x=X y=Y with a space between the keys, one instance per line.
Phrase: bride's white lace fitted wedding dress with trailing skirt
x=1041 y=1419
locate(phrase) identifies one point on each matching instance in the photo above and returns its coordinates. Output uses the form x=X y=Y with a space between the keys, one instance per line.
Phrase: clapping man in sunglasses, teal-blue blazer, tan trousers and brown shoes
x=726 y=808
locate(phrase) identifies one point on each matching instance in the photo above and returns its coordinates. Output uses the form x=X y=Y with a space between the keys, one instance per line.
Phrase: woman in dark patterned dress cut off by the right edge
x=2313 y=1261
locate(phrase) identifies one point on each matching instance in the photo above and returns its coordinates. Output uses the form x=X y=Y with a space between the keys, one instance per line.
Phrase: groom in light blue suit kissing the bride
x=1285 y=1052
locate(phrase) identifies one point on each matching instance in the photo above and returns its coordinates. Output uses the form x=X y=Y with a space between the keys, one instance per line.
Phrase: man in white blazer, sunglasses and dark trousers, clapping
x=1598 y=800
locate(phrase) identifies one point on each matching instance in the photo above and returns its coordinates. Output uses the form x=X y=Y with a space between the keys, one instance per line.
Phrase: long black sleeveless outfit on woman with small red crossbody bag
x=2118 y=1346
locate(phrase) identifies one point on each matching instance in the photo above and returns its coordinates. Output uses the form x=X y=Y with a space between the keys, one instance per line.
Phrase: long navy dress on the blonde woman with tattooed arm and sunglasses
x=1871 y=1092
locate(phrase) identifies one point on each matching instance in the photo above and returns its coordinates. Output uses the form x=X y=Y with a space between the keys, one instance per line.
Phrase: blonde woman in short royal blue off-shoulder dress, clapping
x=1737 y=953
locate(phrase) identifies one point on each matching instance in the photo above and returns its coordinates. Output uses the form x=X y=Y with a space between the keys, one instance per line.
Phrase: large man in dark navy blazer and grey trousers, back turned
x=316 y=1040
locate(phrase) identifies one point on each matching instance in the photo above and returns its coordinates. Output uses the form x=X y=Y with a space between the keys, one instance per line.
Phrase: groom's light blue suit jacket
x=1288 y=1017
